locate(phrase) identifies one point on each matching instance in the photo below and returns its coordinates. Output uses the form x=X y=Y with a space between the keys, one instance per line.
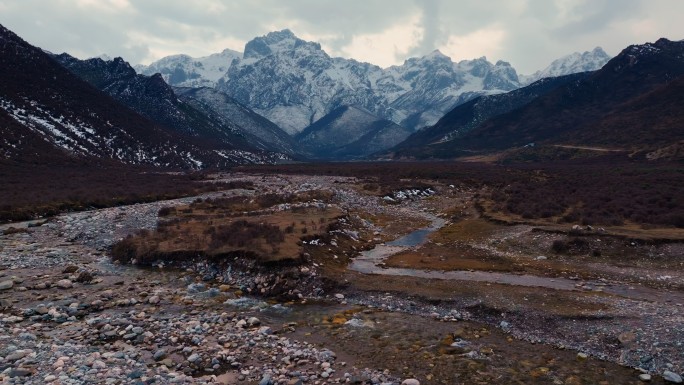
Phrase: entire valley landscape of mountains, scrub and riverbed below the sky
x=282 y=216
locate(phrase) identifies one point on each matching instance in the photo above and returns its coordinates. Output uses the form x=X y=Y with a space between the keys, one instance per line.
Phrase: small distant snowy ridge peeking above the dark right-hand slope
x=570 y=64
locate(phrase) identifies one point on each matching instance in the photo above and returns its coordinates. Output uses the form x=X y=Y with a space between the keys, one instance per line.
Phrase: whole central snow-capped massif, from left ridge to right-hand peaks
x=293 y=82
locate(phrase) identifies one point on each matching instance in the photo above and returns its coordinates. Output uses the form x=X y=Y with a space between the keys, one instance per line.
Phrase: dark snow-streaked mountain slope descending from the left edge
x=46 y=100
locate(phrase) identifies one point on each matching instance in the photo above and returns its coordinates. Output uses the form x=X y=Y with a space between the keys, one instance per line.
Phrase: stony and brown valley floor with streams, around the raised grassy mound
x=469 y=300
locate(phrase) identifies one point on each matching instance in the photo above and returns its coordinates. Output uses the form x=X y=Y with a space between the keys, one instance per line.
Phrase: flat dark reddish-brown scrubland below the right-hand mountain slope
x=599 y=191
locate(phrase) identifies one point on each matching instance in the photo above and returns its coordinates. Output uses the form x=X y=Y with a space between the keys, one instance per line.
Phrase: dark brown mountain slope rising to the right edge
x=634 y=104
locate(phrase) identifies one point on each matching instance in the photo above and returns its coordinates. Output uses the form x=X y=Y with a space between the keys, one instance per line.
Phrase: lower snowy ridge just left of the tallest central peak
x=186 y=71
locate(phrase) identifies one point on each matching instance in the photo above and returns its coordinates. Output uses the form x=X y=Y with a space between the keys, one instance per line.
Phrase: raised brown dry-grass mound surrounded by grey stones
x=215 y=228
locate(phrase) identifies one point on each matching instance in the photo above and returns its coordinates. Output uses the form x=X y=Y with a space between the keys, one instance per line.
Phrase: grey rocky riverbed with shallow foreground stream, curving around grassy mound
x=70 y=316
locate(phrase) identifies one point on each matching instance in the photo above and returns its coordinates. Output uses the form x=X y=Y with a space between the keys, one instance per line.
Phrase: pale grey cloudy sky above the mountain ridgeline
x=527 y=33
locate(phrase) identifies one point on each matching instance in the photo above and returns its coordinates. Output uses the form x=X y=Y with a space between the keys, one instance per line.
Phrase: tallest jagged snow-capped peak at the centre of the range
x=294 y=83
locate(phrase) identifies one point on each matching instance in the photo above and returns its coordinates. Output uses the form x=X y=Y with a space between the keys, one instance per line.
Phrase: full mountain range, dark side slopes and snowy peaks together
x=286 y=99
